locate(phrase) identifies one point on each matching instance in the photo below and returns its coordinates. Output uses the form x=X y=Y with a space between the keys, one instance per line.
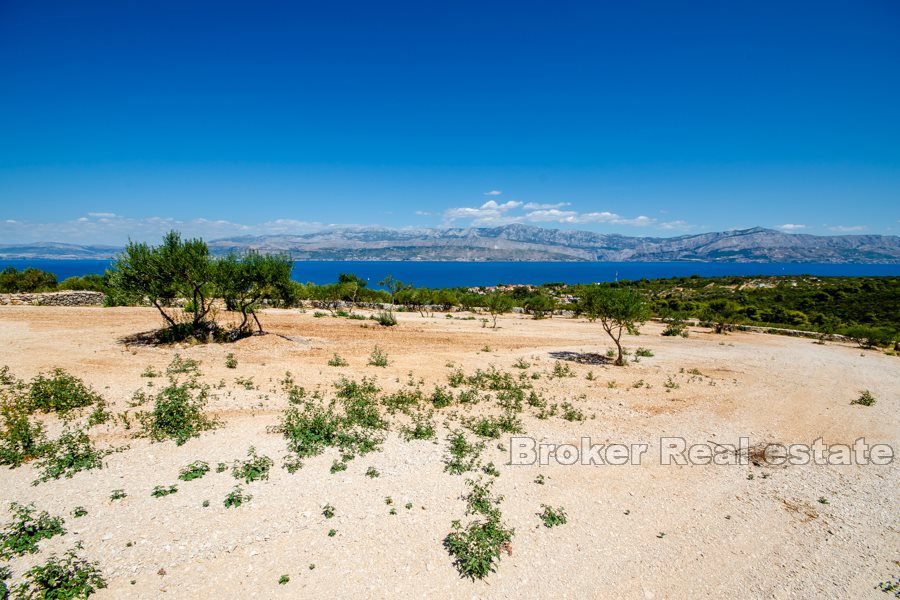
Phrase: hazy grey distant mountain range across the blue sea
x=526 y=243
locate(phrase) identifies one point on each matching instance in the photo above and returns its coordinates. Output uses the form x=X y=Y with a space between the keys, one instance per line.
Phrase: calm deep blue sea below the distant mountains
x=462 y=274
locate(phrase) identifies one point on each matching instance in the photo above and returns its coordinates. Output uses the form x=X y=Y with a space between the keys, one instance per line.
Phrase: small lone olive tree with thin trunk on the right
x=617 y=309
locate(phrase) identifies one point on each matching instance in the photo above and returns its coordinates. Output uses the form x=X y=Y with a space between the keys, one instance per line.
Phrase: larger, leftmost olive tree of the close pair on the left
x=162 y=274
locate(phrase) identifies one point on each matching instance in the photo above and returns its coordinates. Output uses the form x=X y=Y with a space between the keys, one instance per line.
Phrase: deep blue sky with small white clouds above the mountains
x=123 y=119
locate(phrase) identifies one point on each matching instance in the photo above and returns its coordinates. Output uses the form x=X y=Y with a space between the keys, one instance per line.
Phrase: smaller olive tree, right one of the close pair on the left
x=244 y=281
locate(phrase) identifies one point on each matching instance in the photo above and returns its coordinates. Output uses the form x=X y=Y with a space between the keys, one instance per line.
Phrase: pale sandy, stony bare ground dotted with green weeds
x=633 y=531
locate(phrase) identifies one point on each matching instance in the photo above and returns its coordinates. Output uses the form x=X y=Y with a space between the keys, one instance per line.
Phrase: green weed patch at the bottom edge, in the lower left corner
x=66 y=577
